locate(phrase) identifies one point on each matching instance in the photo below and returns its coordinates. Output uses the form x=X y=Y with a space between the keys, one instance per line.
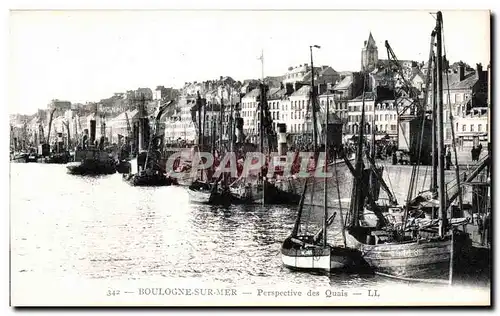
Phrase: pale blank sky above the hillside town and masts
x=83 y=56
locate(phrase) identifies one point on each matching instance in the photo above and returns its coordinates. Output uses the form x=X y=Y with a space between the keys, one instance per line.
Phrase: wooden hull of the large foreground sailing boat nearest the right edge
x=420 y=260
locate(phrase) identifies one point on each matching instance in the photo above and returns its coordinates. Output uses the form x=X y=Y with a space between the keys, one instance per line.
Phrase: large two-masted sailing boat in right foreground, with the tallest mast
x=412 y=252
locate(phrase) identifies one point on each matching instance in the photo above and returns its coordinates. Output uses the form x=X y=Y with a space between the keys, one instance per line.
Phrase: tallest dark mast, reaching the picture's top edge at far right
x=441 y=180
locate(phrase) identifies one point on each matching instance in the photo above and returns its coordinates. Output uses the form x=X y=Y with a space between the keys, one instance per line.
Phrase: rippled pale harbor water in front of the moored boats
x=103 y=228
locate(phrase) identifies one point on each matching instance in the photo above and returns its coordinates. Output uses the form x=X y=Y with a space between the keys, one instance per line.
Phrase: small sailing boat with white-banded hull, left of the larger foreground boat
x=306 y=251
